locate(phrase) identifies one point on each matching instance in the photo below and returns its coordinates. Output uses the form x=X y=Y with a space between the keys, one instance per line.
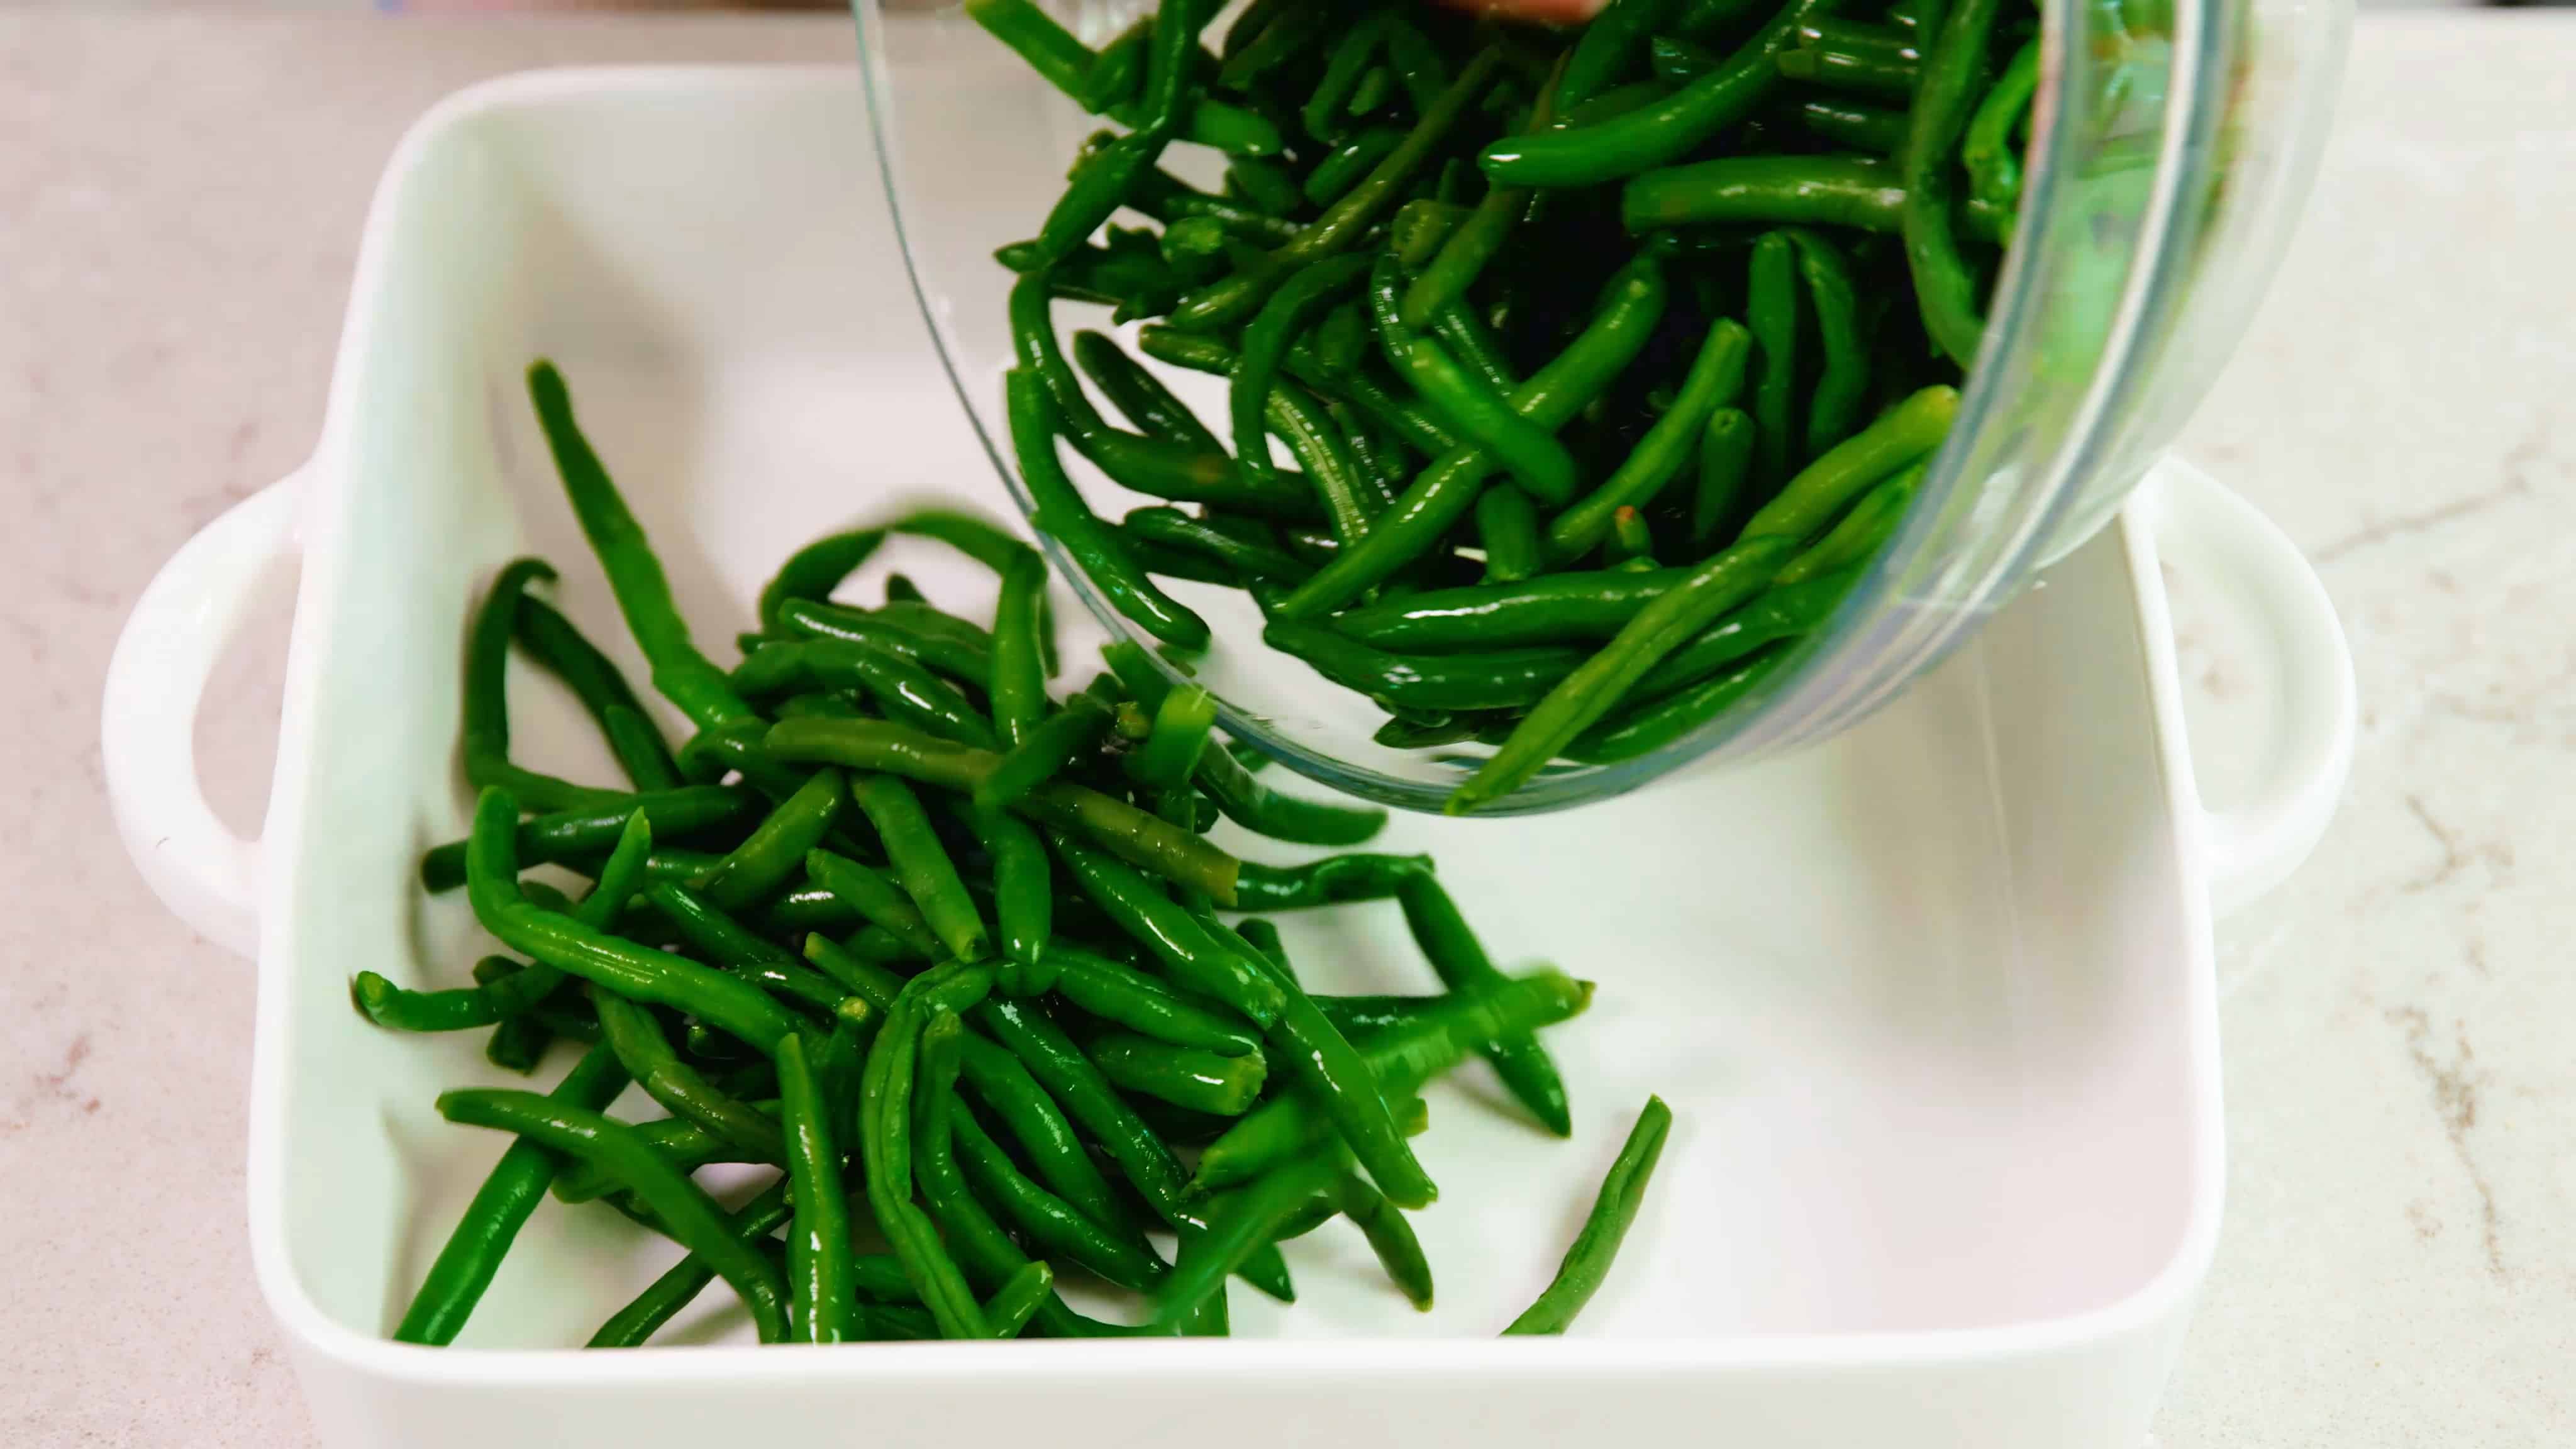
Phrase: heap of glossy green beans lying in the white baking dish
x=944 y=953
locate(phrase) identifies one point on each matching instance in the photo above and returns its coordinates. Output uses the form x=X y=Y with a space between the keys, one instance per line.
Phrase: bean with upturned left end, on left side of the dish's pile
x=604 y=960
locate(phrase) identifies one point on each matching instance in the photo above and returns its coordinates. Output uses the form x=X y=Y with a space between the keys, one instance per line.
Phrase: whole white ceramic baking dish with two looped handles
x=1933 y=1004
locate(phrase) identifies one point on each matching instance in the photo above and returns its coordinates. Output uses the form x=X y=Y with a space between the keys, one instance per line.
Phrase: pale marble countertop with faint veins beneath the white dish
x=179 y=215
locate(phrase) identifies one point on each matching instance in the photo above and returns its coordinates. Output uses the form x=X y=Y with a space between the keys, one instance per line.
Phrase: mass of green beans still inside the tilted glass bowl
x=1547 y=321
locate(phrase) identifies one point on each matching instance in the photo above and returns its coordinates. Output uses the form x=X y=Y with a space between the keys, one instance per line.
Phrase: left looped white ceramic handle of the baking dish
x=148 y=721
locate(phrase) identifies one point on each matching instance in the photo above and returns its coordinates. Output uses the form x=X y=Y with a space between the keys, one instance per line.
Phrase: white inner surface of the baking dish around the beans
x=1920 y=999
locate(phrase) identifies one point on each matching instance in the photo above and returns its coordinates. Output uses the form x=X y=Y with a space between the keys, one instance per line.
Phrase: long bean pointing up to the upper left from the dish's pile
x=684 y=677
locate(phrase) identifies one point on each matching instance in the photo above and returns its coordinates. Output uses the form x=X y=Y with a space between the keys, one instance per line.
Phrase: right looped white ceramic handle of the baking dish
x=2260 y=576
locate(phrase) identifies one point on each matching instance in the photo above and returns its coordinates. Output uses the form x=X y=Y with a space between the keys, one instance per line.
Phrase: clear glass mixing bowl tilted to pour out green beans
x=2170 y=148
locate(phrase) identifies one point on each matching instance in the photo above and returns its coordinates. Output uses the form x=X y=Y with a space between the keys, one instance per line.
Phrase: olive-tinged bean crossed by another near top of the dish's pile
x=1112 y=824
